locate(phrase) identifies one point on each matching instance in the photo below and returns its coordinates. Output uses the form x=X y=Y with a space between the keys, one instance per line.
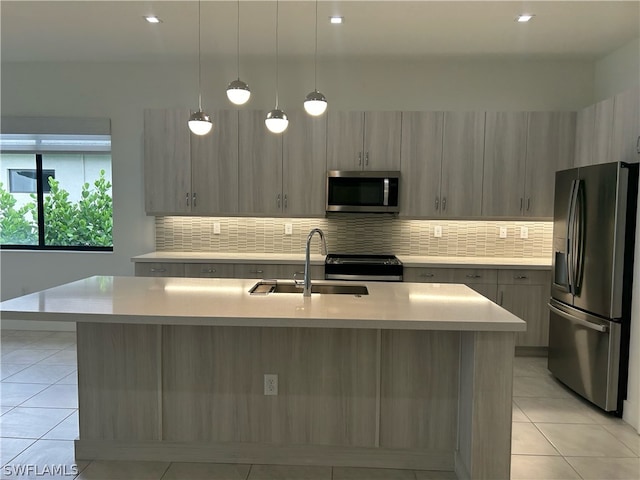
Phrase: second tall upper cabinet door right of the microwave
x=462 y=154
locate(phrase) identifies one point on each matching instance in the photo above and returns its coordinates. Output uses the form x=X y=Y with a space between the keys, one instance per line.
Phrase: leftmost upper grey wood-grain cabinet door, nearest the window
x=167 y=161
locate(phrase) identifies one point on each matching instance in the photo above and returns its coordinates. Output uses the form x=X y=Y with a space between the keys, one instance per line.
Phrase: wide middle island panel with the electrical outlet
x=213 y=385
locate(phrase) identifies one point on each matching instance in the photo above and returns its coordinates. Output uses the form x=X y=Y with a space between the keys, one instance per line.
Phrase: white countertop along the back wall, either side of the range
x=316 y=259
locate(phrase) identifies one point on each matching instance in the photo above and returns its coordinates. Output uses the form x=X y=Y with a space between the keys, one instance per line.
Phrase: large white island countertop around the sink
x=213 y=301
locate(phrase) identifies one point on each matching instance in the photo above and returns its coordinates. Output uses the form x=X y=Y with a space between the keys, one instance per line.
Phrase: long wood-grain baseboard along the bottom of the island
x=253 y=453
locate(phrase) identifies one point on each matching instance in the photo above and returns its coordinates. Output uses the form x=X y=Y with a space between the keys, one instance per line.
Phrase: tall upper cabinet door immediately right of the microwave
x=421 y=161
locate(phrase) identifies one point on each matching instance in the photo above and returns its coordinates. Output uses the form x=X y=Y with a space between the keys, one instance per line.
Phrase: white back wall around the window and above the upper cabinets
x=122 y=91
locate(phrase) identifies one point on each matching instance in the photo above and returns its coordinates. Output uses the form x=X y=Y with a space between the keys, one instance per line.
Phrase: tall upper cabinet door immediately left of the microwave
x=304 y=165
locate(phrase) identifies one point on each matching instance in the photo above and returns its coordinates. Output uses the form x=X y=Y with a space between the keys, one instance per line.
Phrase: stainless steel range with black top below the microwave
x=381 y=268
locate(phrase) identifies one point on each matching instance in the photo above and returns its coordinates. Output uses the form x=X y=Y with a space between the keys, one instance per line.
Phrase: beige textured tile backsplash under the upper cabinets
x=355 y=234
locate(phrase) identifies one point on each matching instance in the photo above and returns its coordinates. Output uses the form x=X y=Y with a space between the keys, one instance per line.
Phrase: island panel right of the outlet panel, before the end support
x=419 y=391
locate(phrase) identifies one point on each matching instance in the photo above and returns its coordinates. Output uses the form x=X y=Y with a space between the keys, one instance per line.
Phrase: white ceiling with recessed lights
x=115 y=30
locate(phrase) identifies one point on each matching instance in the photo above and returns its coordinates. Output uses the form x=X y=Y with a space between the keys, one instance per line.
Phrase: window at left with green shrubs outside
x=55 y=189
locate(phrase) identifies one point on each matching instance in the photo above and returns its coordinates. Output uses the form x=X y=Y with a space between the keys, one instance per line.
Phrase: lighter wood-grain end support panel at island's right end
x=485 y=407
